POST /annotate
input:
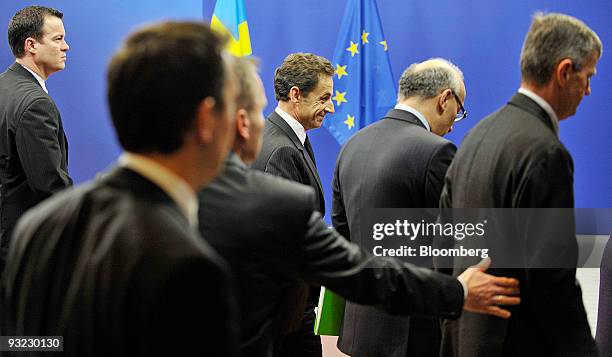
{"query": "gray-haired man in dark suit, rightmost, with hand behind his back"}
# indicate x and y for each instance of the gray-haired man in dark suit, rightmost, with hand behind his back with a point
(514, 159)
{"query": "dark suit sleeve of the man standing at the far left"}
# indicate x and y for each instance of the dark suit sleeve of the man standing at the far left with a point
(39, 150)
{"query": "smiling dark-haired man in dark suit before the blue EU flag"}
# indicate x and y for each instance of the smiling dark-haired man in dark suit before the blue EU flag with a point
(303, 87)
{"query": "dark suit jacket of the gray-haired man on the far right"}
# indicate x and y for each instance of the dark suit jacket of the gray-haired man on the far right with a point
(514, 159)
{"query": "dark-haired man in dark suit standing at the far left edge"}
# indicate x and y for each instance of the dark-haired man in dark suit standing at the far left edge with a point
(33, 147)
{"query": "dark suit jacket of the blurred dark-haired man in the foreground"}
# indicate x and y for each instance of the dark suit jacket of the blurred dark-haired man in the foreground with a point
(115, 269)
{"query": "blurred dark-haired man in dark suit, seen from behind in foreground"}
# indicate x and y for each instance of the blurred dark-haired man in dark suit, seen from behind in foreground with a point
(115, 266)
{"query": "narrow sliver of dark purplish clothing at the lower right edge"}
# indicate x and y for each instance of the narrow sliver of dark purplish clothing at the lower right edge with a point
(604, 315)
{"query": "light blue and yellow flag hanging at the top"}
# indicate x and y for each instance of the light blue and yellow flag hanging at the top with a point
(229, 18)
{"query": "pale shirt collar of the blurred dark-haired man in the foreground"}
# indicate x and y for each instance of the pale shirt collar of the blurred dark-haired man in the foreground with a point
(170, 183)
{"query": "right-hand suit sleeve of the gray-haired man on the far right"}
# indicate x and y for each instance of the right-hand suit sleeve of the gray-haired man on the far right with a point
(552, 248)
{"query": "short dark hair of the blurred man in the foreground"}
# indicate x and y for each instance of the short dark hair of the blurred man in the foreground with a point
(158, 78)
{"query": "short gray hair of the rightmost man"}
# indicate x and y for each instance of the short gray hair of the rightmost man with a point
(551, 38)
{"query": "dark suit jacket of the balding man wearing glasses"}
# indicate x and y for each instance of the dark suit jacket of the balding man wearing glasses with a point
(392, 163)
